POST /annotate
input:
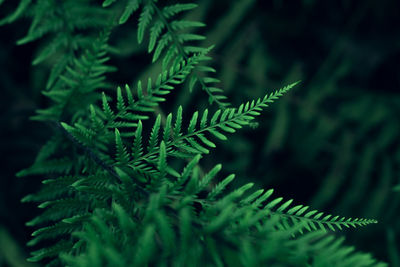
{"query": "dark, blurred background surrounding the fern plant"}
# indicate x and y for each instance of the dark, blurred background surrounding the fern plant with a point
(331, 143)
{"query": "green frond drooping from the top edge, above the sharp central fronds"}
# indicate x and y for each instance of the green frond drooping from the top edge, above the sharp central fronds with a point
(170, 39)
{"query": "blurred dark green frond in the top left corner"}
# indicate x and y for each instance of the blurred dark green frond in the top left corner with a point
(60, 24)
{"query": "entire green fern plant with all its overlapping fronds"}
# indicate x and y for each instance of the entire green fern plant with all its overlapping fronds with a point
(120, 192)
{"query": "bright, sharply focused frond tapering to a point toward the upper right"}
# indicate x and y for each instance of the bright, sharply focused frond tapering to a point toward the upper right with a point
(194, 140)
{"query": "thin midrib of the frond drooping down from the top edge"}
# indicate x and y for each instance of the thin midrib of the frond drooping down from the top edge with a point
(183, 54)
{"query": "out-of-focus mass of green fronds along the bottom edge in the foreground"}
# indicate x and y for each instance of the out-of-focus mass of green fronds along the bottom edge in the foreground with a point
(214, 225)
